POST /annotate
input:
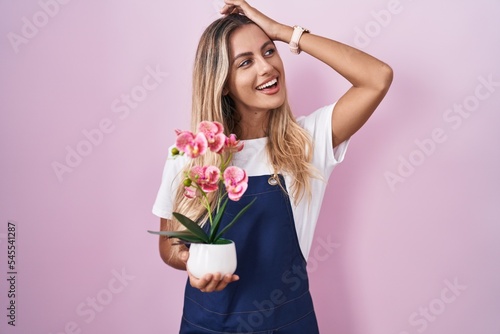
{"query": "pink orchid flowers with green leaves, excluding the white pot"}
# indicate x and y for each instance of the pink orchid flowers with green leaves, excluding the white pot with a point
(199, 181)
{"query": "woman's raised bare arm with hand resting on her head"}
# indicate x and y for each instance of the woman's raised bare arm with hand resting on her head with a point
(370, 77)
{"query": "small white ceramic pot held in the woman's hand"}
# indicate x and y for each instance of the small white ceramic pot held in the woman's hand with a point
(211, 259)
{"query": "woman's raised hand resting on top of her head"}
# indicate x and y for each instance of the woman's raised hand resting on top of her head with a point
(268, 25)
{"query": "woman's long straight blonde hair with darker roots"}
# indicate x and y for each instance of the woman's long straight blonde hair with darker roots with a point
(289, 147)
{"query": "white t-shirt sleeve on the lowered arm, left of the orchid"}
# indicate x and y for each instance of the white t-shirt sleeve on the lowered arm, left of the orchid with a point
(171, 178)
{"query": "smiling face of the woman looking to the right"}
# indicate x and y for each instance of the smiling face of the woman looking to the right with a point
(256, 79)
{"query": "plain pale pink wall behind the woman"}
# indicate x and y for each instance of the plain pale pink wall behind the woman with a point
(385, 253)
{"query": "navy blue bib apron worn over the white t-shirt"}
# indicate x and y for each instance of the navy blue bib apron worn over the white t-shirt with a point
(272, 295)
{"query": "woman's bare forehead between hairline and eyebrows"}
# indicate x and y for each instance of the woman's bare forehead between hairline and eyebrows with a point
(247, 38)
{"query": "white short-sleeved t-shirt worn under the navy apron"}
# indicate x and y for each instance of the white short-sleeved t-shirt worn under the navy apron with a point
(253, 158)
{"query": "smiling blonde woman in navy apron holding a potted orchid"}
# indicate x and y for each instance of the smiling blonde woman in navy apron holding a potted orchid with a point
(239, 81)
